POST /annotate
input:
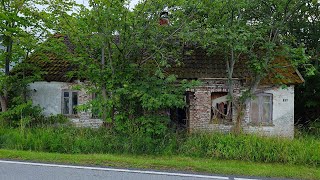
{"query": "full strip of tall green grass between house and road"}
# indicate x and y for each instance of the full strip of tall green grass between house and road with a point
(304, 150)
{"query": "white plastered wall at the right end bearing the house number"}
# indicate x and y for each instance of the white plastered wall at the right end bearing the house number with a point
(282, 114)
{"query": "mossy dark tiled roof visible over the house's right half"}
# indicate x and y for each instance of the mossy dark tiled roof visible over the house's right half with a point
(198, 65)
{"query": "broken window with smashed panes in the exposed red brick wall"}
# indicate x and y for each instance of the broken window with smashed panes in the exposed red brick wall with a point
(221, 109)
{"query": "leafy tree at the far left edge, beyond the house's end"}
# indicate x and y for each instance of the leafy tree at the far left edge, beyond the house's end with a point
(19, 32)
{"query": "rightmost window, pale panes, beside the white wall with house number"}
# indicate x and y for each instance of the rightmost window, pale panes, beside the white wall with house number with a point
(261, 109)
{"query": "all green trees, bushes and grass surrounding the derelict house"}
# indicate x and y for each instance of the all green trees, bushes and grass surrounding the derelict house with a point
(124, 56)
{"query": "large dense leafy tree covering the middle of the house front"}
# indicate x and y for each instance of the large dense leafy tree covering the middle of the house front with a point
(122, 54)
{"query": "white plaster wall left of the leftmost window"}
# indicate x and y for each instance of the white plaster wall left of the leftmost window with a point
(47, 95)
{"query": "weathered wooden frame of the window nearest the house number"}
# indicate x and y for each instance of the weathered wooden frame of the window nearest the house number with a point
(261, 102)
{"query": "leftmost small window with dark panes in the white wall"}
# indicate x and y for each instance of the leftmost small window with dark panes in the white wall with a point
(69, 102)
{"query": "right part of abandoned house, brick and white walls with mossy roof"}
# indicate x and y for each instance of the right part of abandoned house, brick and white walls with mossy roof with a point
(271, 112)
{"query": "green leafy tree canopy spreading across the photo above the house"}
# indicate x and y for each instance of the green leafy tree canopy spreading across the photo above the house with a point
(123, 54)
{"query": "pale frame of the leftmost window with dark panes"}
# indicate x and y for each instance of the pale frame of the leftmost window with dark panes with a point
(71, 104)
